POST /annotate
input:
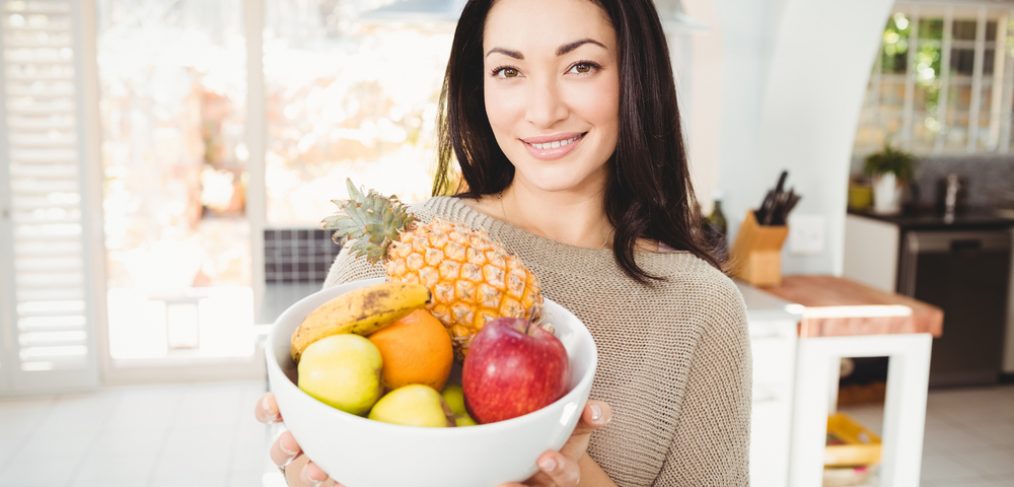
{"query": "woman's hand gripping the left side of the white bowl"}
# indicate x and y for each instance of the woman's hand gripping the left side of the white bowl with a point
(286, 454)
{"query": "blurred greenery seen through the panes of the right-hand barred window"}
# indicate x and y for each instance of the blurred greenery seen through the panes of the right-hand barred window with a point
(885, 108)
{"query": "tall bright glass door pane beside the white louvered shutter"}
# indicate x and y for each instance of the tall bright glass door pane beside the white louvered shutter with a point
(173, 83)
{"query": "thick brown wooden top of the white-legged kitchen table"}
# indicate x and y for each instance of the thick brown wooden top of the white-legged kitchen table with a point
(835, 307)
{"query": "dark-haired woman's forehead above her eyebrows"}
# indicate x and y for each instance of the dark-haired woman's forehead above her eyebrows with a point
(546, 24)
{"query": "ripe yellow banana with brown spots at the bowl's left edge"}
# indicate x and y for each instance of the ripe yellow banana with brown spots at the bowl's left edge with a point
(361, 312)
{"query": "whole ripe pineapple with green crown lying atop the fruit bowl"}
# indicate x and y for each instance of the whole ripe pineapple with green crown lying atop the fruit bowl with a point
(473, 280)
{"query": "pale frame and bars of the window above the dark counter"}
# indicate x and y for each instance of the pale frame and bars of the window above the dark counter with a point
(999, 112)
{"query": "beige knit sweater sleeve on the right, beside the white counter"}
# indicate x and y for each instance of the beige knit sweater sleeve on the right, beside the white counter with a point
(711, 446)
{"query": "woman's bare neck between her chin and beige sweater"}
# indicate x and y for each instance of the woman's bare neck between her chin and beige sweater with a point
(572, 219)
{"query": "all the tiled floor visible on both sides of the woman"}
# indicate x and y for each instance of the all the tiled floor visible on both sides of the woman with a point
(204, 435)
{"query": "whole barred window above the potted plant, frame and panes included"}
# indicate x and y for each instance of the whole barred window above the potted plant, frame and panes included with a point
(941, 83)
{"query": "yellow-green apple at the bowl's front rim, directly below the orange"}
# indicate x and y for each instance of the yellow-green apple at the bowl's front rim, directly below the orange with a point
(413, 405)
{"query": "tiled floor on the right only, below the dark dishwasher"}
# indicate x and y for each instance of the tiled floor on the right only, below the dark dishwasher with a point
(970, 437)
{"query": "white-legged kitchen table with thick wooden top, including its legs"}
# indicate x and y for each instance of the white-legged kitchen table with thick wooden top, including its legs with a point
(844, 319)
